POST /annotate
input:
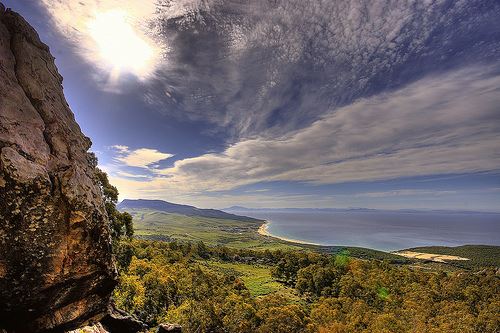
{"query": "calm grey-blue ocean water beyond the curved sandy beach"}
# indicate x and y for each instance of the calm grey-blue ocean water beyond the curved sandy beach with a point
(383, 230)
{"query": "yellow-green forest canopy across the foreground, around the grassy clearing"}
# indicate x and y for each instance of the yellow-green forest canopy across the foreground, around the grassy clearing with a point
(171, 282)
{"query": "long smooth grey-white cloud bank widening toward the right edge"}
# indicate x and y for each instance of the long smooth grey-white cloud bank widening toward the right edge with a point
(439, 125)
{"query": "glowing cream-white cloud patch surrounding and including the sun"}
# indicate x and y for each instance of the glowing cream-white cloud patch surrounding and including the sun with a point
(119, 35)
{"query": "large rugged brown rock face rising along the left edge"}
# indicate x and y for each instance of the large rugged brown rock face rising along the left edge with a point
(56, 268)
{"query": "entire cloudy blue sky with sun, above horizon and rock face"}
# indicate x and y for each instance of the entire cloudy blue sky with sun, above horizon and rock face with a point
(285, 103)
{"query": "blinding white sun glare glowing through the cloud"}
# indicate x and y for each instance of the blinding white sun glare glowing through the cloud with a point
(121, 48)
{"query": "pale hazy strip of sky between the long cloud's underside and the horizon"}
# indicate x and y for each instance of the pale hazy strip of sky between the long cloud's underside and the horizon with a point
(405, 198)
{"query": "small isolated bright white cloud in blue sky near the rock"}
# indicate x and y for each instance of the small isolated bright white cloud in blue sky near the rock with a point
(141, 158)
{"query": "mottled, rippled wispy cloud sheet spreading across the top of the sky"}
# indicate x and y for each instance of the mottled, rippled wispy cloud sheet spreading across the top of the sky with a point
(273, 66)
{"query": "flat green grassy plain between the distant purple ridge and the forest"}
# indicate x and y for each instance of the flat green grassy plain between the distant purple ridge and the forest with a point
(156, 225)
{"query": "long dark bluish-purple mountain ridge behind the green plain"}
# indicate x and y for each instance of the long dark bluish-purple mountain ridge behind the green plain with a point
(168, 207)
